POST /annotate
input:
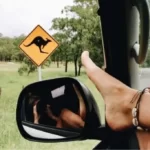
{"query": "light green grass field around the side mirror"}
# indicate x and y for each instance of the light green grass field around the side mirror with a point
(11, 84)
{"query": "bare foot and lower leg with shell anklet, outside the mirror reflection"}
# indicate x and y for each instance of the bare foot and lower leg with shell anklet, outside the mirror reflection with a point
(120, 101)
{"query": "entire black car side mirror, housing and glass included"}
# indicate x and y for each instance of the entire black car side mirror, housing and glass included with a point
(59, 109)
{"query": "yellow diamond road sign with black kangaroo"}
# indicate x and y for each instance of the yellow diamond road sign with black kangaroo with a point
(38, 45)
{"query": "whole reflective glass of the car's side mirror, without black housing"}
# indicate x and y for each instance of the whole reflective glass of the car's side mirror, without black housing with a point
(53, 110)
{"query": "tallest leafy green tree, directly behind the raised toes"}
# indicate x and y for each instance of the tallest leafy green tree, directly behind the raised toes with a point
(82, 30)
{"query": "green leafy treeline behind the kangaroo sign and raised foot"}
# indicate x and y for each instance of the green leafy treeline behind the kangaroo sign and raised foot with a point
(77, 31)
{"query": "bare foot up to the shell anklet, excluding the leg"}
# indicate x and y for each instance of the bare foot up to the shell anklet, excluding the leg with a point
(117, 96)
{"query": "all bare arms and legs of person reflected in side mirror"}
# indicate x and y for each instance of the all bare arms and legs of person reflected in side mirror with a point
(66, 118)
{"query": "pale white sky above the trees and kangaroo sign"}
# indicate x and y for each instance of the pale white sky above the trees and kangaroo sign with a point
(22, 16)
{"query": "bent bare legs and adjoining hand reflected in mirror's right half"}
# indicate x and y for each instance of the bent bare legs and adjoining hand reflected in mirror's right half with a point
(67, 118)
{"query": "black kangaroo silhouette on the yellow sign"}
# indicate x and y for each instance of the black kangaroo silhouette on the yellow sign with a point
(40, 43)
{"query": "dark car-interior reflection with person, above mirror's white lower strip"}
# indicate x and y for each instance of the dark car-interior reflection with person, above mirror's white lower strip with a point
(62, 107)
